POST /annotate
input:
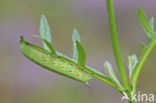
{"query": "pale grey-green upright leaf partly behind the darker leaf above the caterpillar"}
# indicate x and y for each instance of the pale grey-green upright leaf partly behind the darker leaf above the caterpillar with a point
(75, 37)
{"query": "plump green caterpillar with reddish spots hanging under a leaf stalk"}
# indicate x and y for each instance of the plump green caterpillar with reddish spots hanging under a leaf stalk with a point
(53, 62)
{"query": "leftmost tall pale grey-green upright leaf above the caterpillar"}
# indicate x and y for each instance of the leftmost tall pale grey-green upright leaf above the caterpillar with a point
(45, 31)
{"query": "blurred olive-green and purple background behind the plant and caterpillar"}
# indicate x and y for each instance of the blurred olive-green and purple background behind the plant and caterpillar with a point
(22, 81)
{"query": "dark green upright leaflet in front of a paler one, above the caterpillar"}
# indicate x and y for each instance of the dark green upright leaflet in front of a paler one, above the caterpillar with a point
(81, 54)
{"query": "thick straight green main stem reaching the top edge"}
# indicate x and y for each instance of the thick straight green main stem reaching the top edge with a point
(115, 44)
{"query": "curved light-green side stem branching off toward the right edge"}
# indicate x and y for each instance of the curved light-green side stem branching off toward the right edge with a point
(141, 62)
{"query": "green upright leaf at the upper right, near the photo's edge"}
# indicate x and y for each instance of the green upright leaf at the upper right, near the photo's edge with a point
(145, 24)
